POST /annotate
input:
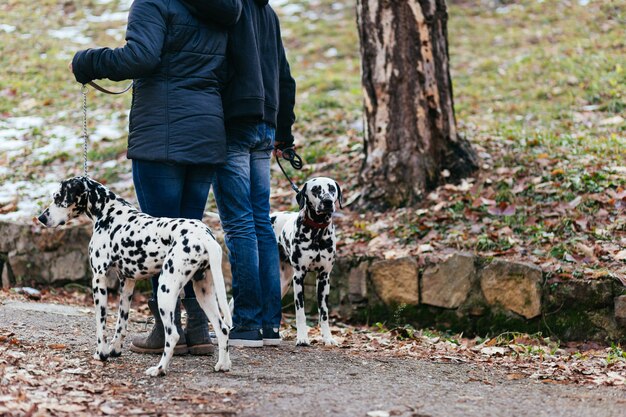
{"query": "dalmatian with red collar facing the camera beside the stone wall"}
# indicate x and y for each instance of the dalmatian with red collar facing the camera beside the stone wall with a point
(307, 242)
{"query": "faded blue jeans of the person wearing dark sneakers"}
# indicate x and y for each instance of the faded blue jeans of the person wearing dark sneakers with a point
(242, 193)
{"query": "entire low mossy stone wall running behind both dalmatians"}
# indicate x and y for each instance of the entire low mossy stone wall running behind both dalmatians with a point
(462, 293)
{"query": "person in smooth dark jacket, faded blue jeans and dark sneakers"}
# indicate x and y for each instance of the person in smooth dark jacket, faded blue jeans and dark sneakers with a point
(258, 99)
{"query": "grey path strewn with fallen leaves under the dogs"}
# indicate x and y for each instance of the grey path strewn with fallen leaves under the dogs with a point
(47, 362)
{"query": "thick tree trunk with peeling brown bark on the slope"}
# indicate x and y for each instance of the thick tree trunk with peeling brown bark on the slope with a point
(411, 135)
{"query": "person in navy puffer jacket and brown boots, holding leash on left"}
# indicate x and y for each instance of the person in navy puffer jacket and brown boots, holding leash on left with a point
(176, 128)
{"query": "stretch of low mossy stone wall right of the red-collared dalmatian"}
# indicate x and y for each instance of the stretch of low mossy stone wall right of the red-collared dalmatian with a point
(470, 294)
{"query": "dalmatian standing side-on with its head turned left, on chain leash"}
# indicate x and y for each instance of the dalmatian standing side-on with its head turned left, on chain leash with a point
(140, 246)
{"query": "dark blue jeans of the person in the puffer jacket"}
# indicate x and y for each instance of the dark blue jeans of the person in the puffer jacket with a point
(170, 190)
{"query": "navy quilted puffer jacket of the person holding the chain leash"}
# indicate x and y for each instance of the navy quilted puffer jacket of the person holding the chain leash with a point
(178, 66)
